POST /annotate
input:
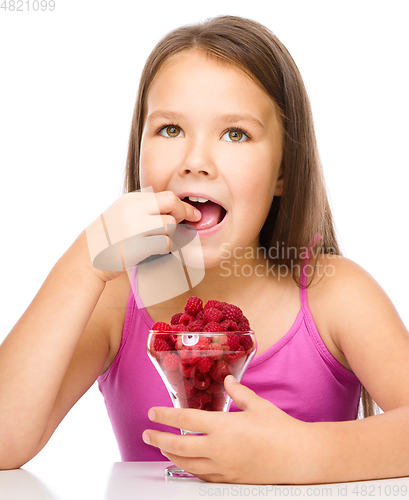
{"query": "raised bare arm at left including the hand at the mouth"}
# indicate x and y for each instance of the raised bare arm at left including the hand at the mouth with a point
(62, 342)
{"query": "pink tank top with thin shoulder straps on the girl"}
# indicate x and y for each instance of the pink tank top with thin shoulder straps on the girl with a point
(298, 374)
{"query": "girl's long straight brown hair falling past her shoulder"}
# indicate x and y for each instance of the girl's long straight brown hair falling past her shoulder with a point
(303, 210)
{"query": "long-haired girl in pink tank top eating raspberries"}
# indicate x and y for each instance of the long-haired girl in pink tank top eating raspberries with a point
(221, 114)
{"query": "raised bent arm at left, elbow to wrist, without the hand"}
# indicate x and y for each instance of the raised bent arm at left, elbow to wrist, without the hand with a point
(35, 356)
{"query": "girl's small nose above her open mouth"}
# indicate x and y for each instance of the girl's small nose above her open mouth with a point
(199, 160)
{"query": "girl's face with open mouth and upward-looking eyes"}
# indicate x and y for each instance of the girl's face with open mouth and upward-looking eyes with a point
(211, 132)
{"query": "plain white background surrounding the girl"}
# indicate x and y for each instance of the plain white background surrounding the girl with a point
(68, 85)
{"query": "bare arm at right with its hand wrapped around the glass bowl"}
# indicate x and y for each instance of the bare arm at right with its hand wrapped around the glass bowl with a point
(366, 327)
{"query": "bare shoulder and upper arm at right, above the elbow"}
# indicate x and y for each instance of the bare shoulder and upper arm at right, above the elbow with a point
(366, 327)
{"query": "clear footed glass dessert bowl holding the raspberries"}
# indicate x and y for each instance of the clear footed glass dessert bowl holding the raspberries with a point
(193, 366)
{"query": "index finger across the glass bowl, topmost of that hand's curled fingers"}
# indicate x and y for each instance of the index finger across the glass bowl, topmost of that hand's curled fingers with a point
(186, 418)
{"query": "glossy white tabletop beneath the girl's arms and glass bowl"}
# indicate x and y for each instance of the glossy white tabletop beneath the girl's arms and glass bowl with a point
(146, 480)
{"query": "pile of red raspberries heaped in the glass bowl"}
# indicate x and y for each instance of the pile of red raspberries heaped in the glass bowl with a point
(196, 372)
